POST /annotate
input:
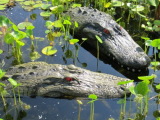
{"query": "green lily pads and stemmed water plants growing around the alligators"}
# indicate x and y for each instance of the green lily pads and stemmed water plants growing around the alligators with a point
(59, 28)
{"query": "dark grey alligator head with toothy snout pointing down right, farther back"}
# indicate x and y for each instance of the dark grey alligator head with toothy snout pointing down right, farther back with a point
(117, 43)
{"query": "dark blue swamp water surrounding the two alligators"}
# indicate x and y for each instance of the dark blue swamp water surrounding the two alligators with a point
(68, 109)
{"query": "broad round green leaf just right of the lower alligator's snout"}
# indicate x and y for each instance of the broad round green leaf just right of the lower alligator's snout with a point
(142, 88)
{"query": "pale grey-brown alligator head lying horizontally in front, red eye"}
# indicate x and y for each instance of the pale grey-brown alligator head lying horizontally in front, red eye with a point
(55, 80)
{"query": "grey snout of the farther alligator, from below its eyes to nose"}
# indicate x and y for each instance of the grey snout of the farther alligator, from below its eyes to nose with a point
(126, 52)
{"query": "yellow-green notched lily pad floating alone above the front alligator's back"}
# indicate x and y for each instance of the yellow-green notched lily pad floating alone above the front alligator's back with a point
(49, 50)
